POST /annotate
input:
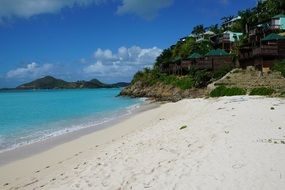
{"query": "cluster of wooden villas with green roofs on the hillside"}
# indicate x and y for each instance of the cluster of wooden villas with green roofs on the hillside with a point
(266, 44)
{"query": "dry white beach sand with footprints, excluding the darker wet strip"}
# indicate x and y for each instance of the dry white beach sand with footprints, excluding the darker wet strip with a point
(229, 143)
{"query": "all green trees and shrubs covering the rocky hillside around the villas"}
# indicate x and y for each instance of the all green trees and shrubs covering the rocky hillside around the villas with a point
(183, 48)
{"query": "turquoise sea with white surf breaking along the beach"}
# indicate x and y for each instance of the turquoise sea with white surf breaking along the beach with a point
(30, 116)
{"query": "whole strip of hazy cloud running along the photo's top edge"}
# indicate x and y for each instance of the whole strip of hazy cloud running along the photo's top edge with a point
(27, 8)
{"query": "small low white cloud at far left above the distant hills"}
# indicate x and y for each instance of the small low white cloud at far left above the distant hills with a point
(31, 70)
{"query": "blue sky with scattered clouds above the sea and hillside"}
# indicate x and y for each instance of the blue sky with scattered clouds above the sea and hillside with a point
(105, 39)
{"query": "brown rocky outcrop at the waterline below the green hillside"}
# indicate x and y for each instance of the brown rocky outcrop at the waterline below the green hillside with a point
(160, 92)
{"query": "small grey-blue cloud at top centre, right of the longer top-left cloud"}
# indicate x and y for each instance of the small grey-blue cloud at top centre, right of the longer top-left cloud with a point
(147, 9)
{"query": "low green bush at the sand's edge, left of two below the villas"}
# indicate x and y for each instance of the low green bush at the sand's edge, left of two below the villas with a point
(224, 91)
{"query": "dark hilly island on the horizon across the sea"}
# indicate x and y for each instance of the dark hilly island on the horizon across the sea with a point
(49, 82)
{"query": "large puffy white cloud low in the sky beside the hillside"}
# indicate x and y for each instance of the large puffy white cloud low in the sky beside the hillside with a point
(125, 62)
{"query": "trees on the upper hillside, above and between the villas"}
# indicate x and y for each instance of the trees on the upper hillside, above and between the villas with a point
(249, 17)
